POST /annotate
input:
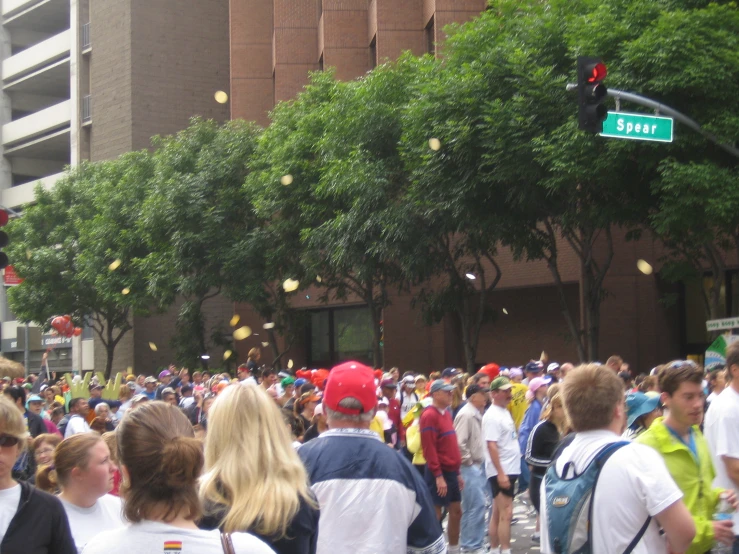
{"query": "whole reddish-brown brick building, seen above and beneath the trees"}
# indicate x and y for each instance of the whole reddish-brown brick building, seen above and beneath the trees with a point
(274, 45)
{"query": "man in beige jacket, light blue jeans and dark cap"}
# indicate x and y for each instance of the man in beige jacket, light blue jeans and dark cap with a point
(468, 426)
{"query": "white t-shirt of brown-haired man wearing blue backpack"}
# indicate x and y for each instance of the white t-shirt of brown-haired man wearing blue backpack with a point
(634, 484)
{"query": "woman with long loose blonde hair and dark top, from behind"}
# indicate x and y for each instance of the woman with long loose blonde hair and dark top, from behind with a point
(254, 480)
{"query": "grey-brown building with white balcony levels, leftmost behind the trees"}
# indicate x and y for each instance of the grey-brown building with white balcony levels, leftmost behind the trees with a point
(90, 80)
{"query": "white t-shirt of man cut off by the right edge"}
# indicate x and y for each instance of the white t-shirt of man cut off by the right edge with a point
(721, 430)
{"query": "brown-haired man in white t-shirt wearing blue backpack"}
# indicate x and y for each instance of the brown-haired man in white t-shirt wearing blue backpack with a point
(634, 483)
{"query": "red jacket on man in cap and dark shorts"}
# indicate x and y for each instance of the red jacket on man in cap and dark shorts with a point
(439, 441)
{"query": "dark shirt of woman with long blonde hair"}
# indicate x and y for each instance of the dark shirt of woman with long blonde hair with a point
(301, 537)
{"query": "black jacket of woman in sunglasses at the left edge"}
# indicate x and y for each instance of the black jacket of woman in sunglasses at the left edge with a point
(39, 526)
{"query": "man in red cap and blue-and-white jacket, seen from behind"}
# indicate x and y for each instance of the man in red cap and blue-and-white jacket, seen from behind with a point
(371, 499)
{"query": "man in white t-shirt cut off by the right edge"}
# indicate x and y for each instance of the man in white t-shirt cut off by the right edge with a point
(722, 432)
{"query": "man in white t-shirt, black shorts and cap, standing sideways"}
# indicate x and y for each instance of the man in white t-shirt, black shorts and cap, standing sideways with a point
(502, 463)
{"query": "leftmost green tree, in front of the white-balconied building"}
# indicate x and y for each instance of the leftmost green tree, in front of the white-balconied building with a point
(65, 243)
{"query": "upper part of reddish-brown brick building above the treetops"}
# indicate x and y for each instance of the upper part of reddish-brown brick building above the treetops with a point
(276, 43)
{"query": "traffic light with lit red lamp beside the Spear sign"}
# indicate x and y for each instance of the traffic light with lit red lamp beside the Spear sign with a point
(591, 94)
